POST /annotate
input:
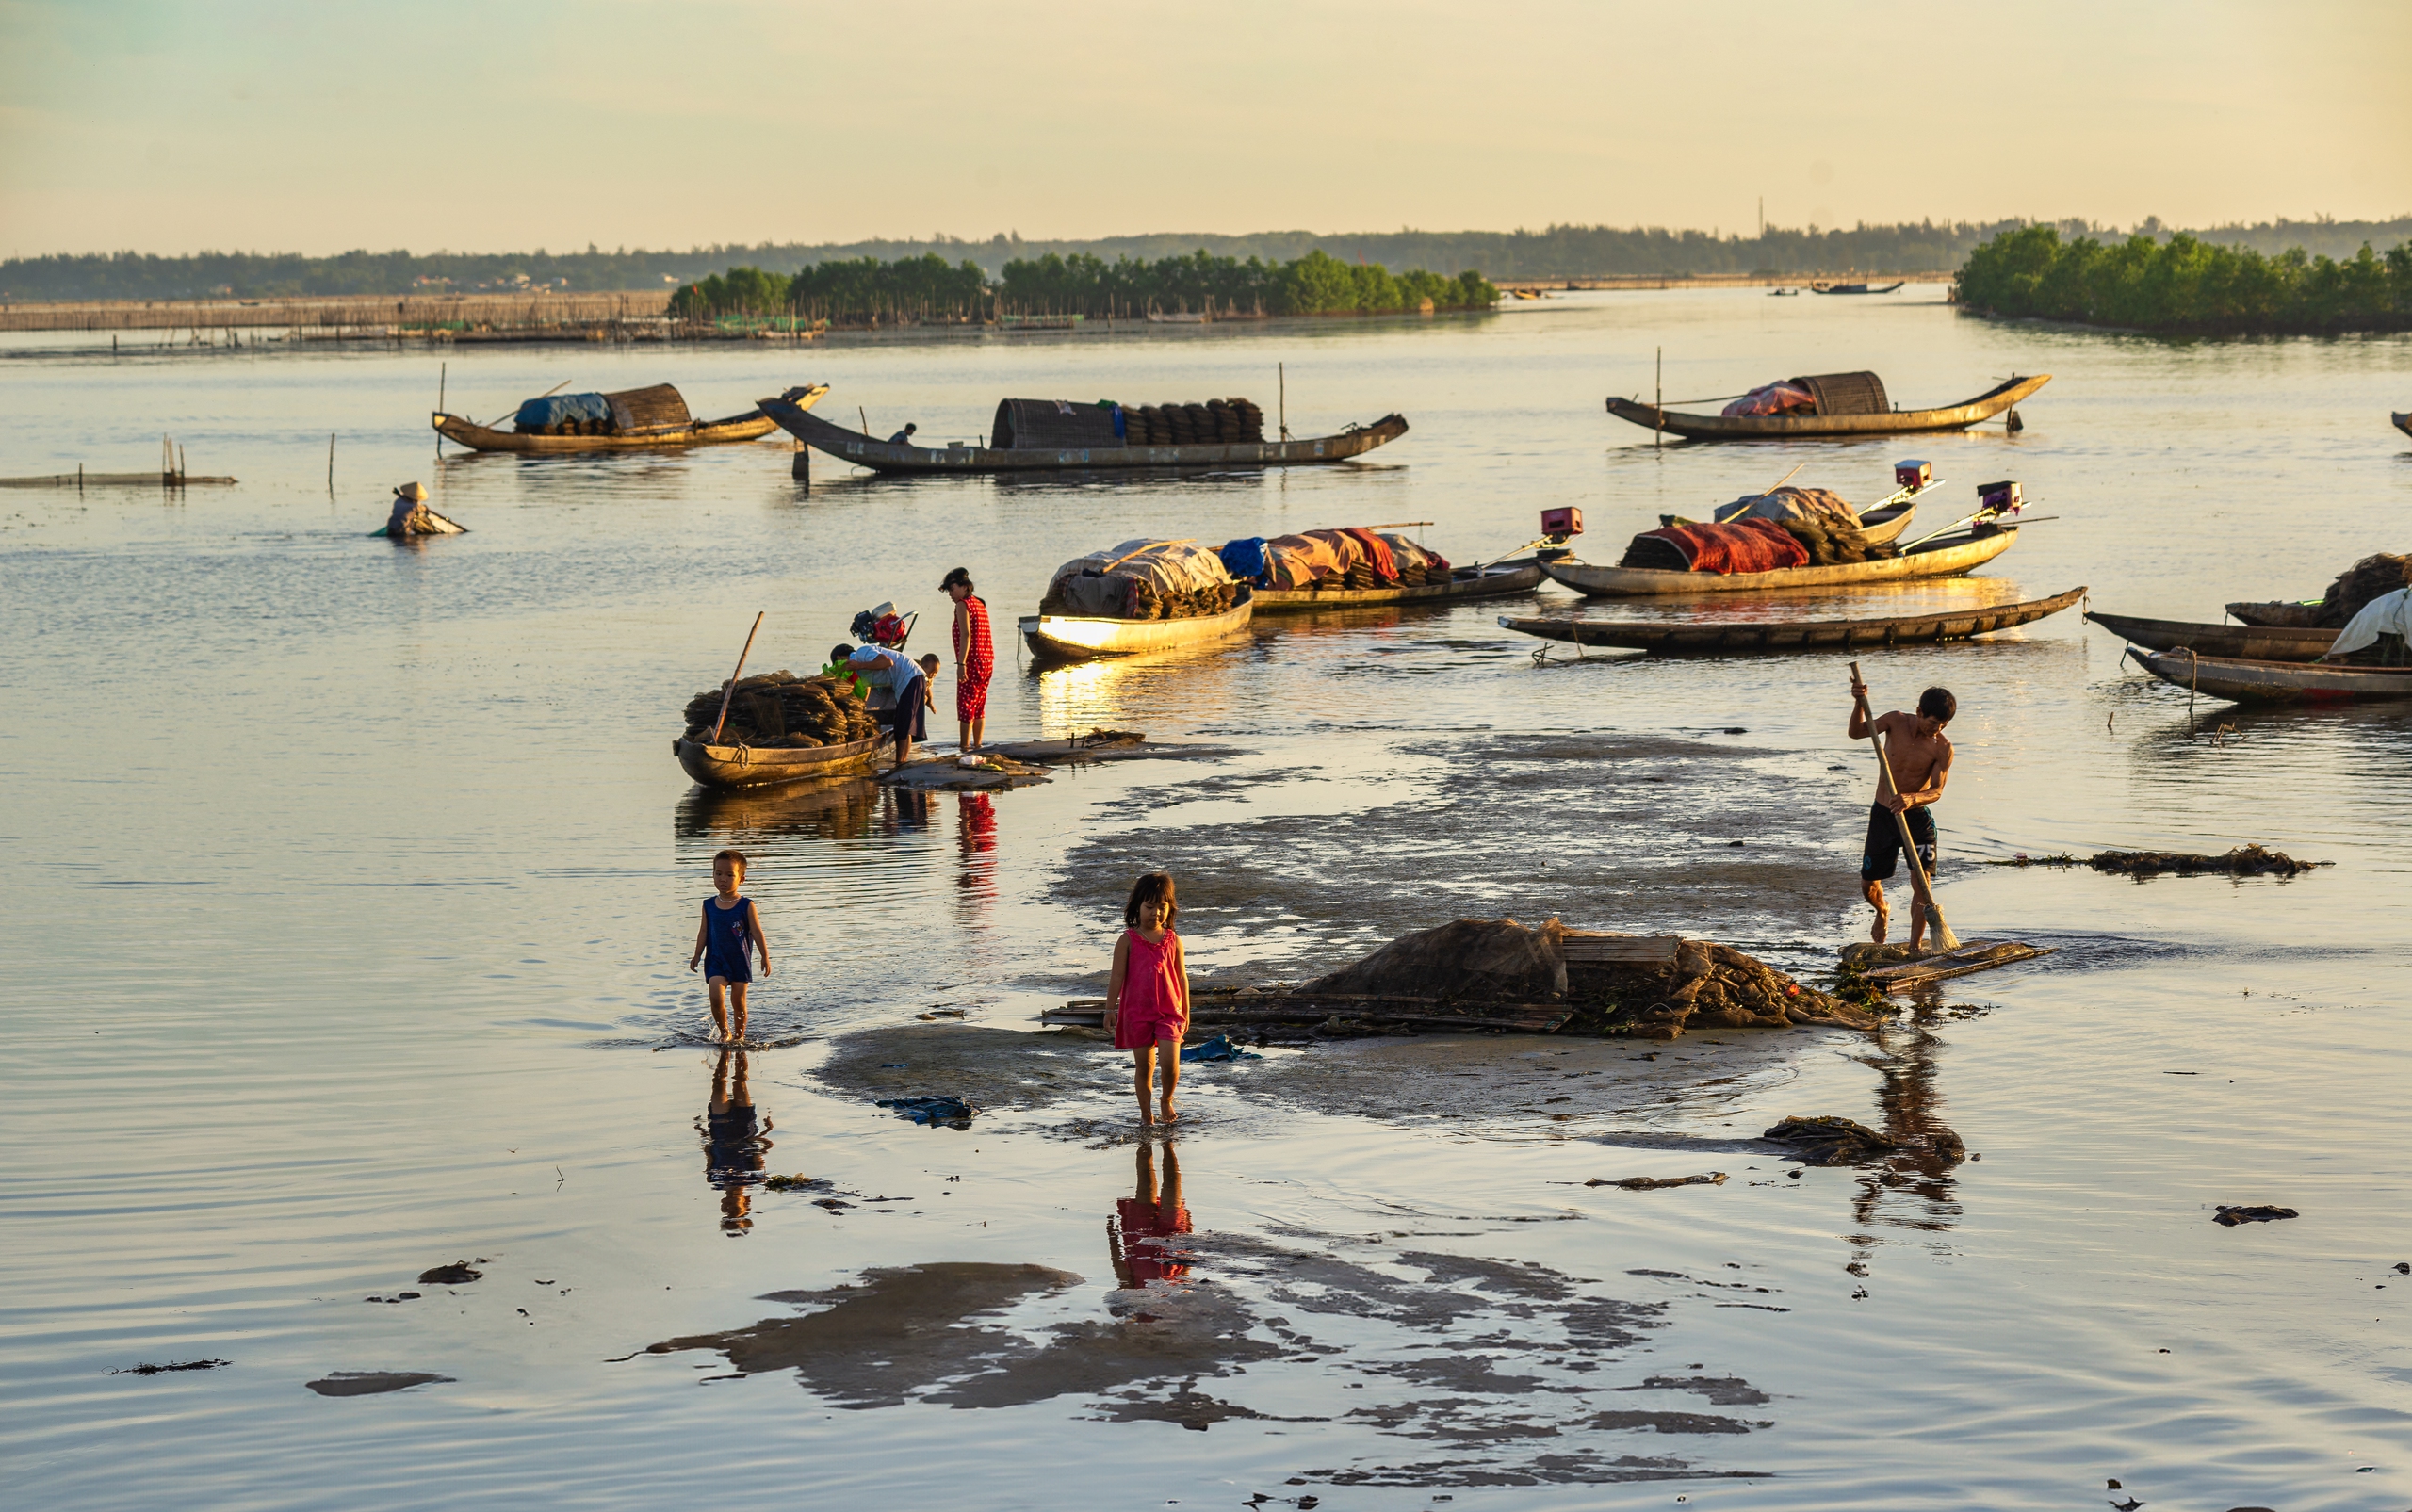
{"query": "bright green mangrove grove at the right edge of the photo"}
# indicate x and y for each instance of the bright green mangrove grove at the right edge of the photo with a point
(2186, 286)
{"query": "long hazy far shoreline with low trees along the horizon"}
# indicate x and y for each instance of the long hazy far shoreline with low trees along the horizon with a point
(1555, 252)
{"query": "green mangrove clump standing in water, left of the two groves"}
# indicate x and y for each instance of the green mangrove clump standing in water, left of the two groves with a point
(867, 291)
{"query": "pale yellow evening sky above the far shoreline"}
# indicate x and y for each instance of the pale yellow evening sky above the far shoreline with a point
(517, 124)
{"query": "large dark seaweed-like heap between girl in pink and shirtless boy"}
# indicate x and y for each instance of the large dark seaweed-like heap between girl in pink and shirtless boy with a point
(1485, 968)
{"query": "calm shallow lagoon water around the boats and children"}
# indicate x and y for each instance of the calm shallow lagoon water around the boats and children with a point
(351, 884)
